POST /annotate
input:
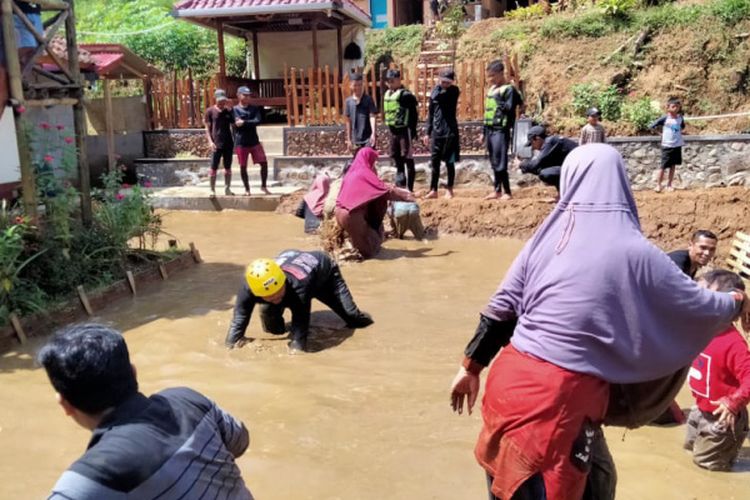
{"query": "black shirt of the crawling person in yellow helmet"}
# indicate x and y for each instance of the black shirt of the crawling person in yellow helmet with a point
(306, 274)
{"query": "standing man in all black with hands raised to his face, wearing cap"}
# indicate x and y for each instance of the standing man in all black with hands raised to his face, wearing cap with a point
(442, 129)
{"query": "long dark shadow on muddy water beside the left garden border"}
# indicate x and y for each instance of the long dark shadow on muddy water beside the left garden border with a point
(180, 297)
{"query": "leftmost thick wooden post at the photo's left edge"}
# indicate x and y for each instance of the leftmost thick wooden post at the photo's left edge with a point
(28, 181)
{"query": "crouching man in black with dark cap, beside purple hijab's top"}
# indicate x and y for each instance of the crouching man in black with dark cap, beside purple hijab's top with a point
(552, 152)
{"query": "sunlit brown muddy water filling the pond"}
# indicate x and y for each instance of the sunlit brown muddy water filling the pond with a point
(364, 417)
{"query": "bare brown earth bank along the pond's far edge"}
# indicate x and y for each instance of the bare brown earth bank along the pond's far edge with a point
(668, 219)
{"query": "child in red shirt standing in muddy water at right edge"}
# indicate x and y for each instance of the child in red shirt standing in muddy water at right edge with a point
(720, 381)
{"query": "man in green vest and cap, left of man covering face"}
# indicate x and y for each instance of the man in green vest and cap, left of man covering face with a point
(400, 108)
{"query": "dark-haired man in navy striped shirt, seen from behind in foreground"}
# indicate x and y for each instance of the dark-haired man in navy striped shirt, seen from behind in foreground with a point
(171, 444)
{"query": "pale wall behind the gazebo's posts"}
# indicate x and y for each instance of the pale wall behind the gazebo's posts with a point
(295, 49)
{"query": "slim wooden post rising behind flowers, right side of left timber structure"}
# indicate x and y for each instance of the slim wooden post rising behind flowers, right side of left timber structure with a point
(79, 116)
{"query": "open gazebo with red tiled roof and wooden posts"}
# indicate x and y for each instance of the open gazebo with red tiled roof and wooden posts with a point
(248, 19)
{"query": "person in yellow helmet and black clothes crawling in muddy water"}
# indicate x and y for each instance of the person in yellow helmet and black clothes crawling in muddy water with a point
(292, 281)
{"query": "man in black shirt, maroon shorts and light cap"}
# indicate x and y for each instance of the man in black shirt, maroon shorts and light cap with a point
(246, 120)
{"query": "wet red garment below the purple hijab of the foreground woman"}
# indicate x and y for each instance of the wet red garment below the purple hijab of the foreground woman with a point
(537, 417)
